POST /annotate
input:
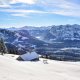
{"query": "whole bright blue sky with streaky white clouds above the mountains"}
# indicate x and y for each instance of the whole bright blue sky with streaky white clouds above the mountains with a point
(19, 13)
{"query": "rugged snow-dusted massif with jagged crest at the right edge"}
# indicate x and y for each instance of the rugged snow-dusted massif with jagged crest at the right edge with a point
(66, 32)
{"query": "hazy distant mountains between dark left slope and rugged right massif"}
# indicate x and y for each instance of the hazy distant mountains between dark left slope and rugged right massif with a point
(37, 32)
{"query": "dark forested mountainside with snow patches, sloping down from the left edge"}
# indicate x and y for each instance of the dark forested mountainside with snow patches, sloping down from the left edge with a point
(20, 39)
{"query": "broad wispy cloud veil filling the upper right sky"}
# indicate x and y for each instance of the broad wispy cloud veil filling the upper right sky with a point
(62, 7)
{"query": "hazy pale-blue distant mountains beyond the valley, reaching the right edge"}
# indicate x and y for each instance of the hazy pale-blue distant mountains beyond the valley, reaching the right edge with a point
(51, 33)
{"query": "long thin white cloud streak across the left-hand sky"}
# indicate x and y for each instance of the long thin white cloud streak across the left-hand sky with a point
(22, 12)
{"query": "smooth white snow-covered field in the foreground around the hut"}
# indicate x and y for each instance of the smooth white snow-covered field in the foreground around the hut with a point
(11, 69)
